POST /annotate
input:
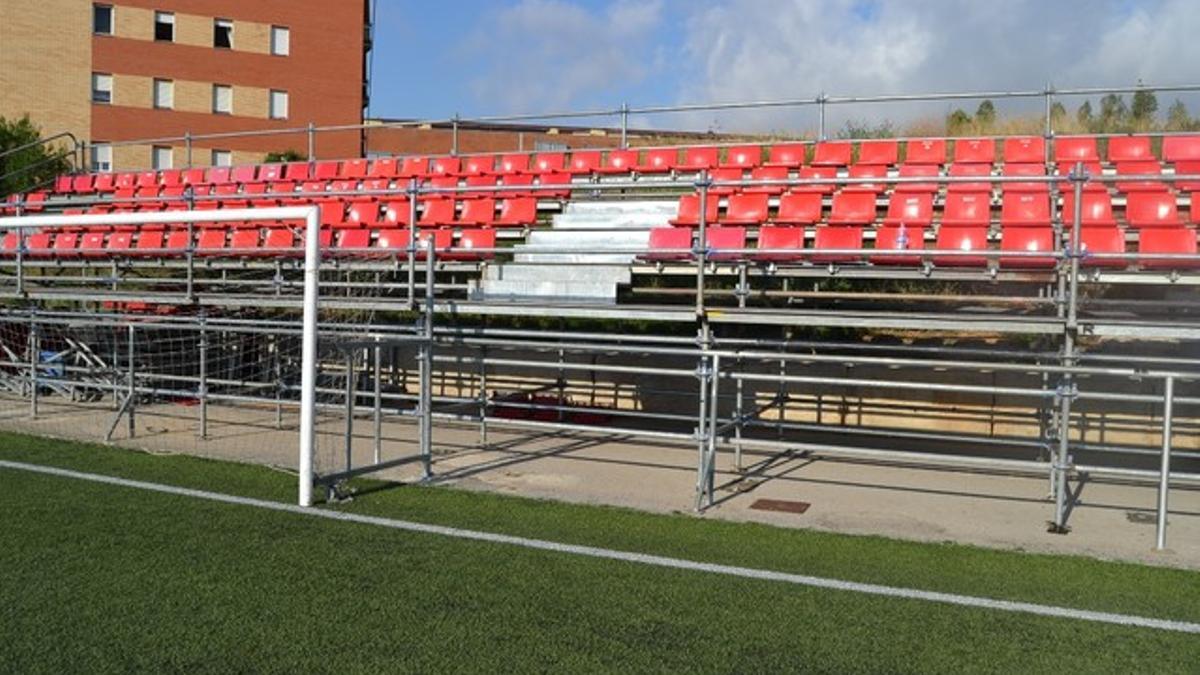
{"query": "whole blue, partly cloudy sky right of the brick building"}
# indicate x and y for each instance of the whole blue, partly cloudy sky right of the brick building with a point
(434, 61)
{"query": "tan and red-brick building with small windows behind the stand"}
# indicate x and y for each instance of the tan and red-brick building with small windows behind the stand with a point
(121, 71)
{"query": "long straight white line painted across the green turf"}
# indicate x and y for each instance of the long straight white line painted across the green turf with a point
(641, 559)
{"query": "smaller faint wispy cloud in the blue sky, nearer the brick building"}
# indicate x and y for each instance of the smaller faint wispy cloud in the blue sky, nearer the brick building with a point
(553, 55)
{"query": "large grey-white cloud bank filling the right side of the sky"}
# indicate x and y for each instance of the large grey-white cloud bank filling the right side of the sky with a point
(755, 50)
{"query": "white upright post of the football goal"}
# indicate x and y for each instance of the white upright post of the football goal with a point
(309, 354)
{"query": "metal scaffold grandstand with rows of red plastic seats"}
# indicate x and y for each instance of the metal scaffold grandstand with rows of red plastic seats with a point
(1016, 304)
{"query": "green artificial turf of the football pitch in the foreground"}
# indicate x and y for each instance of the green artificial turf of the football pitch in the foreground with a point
(98, 578)
